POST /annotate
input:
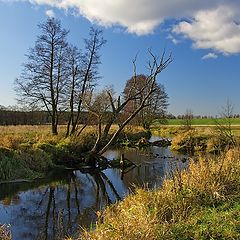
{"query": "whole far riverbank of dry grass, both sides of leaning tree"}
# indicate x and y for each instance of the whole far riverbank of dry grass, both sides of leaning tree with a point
(30, 152)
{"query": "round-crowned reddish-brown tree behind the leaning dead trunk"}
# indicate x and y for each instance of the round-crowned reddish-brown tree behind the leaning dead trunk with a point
(156, 104)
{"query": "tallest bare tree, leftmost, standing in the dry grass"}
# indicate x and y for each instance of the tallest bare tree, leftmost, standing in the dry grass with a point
(44, 74)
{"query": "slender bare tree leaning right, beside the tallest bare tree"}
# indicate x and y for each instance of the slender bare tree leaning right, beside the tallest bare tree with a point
(87, 74)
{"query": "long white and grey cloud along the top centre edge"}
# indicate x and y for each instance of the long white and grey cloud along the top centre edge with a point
(137, 16)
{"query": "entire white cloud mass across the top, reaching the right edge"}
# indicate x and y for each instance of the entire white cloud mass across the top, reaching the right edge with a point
(210, 24)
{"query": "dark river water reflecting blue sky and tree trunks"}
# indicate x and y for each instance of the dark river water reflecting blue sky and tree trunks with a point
(62, 204)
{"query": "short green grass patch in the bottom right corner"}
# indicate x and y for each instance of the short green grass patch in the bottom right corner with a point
(222, 222)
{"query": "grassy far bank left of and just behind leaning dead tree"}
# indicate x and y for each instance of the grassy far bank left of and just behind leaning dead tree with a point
(31, 151)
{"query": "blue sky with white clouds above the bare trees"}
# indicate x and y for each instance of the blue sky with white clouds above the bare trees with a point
(203, 38)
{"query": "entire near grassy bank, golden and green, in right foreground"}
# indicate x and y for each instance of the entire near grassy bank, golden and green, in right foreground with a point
(202, 202)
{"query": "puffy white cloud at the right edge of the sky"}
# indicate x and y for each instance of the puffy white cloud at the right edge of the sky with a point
(216, 29)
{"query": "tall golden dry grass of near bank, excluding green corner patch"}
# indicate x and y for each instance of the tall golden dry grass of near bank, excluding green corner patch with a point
(154, 214)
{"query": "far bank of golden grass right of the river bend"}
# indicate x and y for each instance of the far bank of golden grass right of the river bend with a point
(196, 139)
